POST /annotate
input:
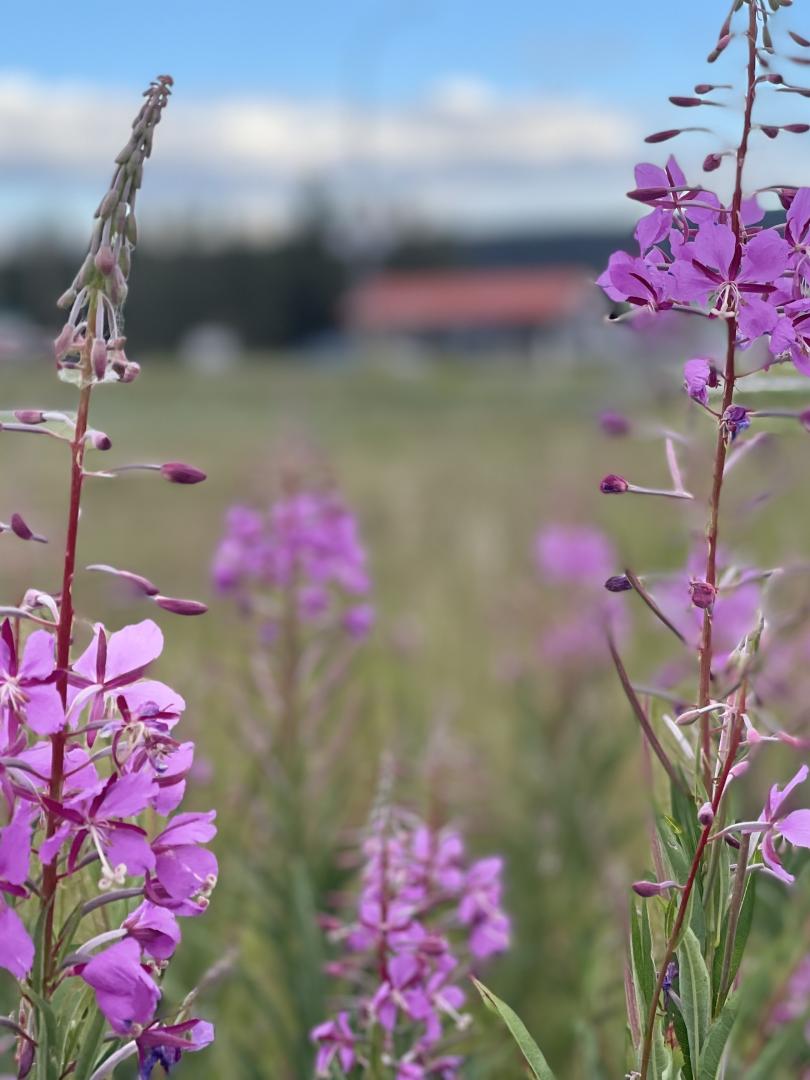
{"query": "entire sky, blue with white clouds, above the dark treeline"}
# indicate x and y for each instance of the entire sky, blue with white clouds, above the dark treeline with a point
(438, 114)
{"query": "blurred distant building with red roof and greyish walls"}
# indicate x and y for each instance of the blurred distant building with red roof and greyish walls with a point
(520, 312)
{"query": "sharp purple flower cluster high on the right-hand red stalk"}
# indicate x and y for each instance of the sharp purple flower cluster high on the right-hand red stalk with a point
(698, 255)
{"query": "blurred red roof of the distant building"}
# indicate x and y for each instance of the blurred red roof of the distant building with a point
(466, 300)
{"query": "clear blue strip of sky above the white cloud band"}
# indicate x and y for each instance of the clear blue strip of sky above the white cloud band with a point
(387, 50)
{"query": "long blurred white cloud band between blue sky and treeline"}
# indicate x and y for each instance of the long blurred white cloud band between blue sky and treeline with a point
(463, 154)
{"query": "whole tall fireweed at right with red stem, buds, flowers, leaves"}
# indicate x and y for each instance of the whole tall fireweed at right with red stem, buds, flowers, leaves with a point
(706, 718)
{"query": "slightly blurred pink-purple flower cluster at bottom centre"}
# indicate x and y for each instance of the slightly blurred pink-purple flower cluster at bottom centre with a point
(424, 919)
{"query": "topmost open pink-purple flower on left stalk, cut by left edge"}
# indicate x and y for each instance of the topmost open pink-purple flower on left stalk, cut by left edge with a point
(28, 686)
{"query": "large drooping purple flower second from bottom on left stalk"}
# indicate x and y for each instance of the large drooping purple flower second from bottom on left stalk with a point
(126, 994)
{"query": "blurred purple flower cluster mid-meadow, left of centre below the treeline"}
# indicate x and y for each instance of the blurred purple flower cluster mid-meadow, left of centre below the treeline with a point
(307, 545)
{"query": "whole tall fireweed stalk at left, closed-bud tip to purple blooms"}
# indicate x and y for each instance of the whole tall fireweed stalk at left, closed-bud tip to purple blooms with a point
(89, 762)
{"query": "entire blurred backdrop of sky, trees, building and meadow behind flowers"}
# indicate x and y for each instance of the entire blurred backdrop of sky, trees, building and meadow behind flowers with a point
(370, 235)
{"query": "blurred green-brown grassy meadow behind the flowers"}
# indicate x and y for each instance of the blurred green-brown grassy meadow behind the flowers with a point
(452, 472)
